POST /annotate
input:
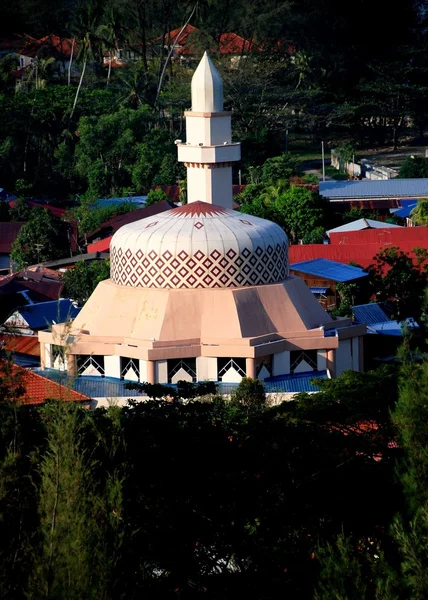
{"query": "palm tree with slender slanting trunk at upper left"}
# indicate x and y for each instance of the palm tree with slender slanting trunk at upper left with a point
(89, 41)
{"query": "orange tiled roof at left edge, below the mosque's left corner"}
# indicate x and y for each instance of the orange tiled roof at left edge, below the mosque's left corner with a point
(38, 389)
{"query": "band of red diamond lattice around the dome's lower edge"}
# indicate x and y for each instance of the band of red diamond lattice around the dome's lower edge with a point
(199, 270)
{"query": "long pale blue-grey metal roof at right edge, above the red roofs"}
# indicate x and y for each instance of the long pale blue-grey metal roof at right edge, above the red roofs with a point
(389, 188)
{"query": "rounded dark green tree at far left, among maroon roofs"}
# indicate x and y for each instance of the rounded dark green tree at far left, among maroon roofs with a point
(42, 238)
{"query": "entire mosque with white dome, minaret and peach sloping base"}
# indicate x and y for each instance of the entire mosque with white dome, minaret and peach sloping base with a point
(202, 292)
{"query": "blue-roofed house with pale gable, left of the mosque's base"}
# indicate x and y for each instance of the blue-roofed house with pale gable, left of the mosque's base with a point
(36, 317)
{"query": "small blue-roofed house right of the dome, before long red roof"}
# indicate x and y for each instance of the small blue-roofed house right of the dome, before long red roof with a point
(322, 277)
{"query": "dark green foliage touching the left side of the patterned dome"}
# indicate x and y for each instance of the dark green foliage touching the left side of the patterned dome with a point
(81, 281)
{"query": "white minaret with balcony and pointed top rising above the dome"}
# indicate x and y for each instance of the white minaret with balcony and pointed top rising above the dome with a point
(208, 152)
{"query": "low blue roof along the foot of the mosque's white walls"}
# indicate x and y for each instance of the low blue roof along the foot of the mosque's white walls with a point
(110, 387)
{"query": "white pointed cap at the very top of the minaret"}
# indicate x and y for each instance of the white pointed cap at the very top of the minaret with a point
(207, 87)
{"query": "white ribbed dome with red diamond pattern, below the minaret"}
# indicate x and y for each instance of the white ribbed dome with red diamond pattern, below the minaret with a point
(199, 245)
